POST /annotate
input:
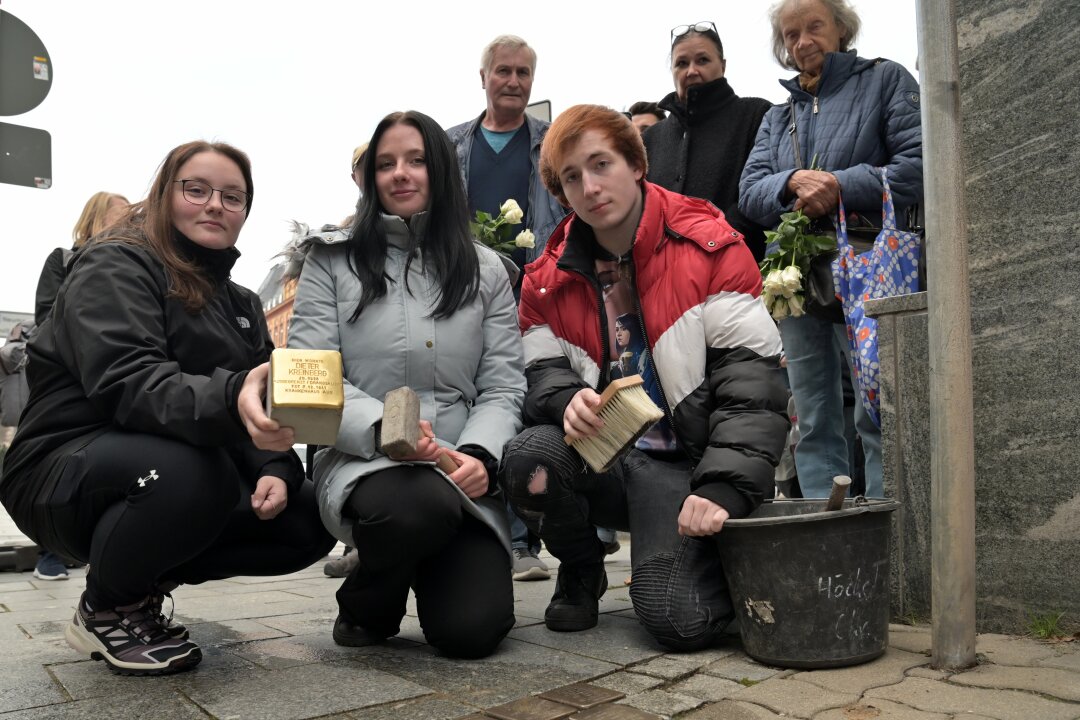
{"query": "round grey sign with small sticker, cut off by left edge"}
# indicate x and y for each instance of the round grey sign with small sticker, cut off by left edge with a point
(26, 70)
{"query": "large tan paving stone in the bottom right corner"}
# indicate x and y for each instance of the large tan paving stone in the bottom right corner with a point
(949, 699)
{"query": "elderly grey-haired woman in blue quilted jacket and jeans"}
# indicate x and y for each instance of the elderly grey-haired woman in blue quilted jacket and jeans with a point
(853, 116)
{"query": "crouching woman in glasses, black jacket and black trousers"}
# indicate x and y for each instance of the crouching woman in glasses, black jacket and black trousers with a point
(132, 454)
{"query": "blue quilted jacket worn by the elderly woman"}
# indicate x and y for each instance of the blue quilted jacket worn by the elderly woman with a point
(866, 116)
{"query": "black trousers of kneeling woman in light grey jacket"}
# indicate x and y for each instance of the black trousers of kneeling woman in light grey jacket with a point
(411, 532)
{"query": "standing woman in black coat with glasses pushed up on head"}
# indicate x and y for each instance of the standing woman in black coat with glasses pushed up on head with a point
(701, 147)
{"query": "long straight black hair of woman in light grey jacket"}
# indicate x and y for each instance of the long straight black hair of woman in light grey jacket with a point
(449, 249)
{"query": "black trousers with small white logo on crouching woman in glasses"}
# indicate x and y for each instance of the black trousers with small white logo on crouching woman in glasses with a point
(145, 510)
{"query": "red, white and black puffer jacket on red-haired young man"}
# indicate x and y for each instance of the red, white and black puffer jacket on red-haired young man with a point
(713, 344)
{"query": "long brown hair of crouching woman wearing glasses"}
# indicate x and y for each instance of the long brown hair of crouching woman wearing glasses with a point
(151, 224)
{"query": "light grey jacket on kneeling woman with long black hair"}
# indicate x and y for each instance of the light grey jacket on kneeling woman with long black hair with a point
(467, 370)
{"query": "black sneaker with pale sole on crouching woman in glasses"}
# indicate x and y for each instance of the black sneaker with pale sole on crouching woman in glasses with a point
(131, 641)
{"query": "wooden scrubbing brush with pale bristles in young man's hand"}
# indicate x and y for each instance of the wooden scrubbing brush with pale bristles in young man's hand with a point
(628, 413)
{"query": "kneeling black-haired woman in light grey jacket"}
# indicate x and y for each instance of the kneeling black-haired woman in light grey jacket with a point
(411, 300)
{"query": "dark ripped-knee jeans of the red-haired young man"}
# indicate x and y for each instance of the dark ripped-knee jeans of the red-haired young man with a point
(679, 589)
